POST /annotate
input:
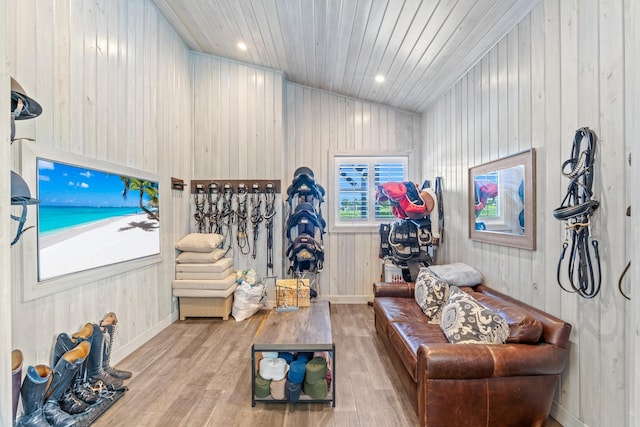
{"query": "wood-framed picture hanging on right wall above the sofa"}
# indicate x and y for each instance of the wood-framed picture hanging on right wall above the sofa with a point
(502, 201)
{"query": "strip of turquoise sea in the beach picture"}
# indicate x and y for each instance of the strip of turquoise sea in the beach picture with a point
(57, 218)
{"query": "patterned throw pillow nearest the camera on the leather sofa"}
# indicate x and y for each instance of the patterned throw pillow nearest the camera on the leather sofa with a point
(465, 321)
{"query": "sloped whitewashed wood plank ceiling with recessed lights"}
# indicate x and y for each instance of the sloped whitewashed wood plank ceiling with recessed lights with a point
(421, 47)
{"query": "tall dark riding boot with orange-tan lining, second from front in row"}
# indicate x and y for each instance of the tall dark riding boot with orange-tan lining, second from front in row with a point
(63, 374)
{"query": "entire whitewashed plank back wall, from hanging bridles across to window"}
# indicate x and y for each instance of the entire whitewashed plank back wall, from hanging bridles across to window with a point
(250, 123)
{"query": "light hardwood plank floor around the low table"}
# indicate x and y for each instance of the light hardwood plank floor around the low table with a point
(197, 373)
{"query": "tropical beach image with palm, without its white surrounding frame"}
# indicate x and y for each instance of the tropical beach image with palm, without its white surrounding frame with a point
(89, 218)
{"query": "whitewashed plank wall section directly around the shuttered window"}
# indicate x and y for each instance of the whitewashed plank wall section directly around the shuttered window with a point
(318, 124)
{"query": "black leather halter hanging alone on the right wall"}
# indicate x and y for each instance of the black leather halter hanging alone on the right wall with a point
(583, 267)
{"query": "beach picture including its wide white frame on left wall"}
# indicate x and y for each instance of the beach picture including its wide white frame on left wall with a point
(95, 219)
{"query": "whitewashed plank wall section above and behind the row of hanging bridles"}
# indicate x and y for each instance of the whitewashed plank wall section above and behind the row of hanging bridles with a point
(238, 134)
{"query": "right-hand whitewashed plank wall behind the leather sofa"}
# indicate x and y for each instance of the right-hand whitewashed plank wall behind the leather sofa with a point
(560, 68)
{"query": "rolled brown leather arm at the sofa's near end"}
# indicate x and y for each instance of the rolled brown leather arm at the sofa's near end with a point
(463, 361)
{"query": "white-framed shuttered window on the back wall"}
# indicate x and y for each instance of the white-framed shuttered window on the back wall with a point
(357, 178)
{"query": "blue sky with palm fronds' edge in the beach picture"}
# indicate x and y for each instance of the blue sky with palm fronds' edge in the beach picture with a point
(60, 184)
